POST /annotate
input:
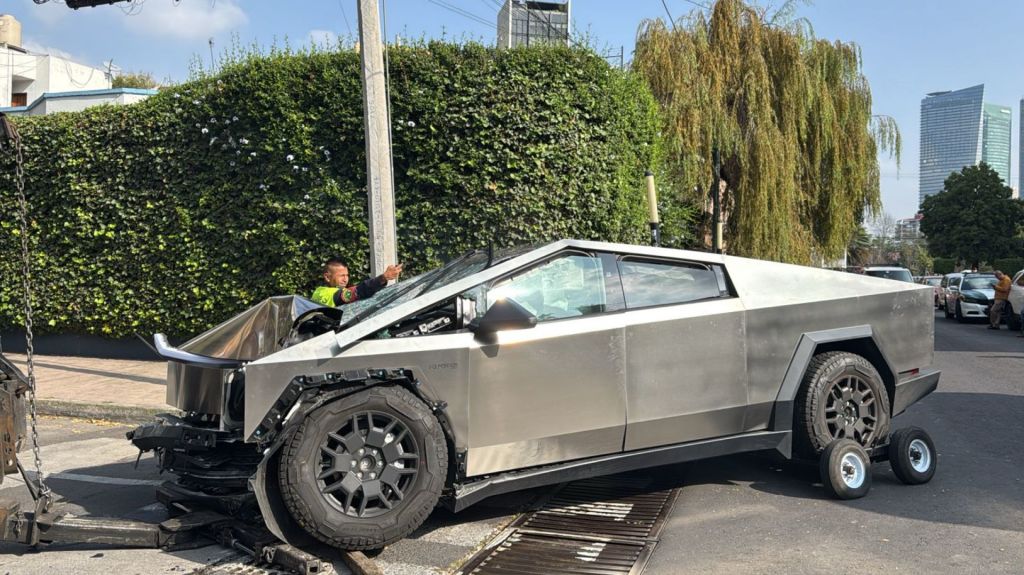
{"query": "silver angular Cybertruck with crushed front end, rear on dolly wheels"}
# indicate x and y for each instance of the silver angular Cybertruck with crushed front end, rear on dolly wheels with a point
(514, 370)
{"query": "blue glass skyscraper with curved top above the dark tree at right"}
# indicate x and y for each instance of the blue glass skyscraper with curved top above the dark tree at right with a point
(959, 129)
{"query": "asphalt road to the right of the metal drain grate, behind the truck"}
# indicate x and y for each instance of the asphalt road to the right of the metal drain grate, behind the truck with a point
(756, 515)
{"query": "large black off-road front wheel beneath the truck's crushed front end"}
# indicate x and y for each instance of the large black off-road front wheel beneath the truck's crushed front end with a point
(306, 460)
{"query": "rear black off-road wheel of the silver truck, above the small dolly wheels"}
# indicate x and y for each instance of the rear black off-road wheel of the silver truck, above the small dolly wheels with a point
(816, 428)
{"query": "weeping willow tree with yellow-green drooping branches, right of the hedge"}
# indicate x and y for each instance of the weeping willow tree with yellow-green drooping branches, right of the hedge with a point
(791, 115)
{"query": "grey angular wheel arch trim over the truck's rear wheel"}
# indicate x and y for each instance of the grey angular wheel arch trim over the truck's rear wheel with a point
(859, 340)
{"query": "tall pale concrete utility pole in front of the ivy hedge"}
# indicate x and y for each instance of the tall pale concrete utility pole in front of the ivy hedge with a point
(380, 182)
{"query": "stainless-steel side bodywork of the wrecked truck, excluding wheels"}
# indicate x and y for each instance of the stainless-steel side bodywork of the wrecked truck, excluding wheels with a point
(609, 380)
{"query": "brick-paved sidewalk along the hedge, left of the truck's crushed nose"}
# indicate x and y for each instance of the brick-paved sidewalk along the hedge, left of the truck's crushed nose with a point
(105, 389)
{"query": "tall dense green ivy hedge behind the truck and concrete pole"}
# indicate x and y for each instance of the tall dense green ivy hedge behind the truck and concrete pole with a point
(174, 214)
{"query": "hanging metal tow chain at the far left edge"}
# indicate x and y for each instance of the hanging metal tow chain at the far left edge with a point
(44, 496)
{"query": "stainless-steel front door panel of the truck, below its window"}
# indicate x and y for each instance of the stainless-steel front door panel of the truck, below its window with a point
(546, 395)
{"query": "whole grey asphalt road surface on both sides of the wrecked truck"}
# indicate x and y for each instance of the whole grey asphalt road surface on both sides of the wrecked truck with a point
(750, 514)
